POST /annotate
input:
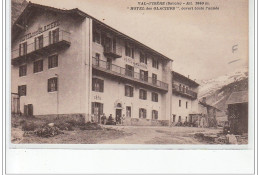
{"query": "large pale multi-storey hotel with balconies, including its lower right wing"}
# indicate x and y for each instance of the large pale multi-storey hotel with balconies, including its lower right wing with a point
(68, 63)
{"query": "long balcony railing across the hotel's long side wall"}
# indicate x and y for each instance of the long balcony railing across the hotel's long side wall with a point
(128, 74)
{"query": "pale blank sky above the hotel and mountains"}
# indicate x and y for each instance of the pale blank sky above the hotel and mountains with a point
(199, 42)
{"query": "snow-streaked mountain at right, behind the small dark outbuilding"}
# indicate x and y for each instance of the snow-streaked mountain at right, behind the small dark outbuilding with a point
(218, 90)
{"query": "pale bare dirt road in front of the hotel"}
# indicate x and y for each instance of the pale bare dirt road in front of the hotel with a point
(158, 135)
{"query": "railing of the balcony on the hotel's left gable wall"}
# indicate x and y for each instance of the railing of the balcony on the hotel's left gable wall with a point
(45, 44)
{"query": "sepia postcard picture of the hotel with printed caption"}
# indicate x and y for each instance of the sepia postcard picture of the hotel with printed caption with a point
(130, 72)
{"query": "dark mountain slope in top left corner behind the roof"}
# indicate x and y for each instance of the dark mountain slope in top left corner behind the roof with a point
(17, 6)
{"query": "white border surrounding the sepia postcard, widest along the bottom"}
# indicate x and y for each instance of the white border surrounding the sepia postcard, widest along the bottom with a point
(129, 161)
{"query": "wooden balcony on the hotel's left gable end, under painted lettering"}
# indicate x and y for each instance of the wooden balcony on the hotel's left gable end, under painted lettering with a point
(45, 47)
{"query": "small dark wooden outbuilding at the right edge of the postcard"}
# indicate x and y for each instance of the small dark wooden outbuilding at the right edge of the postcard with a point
(237, 106)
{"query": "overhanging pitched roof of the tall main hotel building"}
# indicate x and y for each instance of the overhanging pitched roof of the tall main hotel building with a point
(77, 12)
